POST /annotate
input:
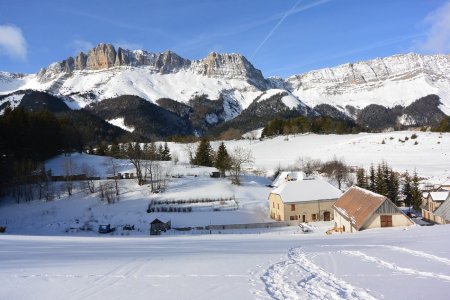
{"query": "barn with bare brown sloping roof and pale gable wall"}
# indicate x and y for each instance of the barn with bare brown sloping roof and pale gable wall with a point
(359, 209)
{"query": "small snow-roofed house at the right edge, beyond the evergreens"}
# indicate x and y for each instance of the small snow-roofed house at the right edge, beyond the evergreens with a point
(432, 211)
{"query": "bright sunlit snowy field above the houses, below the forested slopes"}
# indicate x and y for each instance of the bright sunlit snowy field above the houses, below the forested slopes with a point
(431, 155)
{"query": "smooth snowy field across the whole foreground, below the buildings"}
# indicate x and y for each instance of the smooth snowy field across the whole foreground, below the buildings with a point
(283, 264)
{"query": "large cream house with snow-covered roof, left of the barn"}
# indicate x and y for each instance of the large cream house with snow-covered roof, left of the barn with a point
(303, 200)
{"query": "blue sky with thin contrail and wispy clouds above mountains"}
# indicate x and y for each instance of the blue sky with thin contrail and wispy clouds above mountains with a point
(280, 37)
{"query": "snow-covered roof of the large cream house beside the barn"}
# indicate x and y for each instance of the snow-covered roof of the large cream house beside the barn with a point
(306, 190)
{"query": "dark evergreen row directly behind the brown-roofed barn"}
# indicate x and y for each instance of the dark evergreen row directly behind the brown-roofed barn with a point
(397, 187)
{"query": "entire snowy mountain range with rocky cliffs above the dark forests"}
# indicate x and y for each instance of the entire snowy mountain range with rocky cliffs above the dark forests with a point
(105, 72)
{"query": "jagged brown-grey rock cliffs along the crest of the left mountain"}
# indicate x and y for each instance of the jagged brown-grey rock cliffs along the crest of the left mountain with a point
(104, 56)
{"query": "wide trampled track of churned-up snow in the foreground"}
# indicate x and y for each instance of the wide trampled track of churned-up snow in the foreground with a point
(313, 282)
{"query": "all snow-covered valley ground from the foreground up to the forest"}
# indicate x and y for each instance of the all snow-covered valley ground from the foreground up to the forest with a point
(48, 251)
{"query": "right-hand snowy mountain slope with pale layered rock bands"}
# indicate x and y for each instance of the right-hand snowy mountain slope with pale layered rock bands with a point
(390, 81)
